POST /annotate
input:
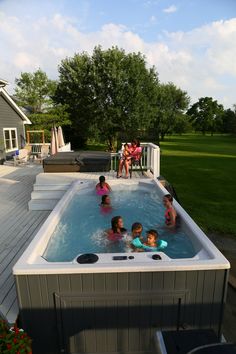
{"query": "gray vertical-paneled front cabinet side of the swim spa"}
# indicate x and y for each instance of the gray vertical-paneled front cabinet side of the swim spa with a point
(117, 312)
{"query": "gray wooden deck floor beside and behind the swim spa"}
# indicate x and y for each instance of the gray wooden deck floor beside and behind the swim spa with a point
(18, 225)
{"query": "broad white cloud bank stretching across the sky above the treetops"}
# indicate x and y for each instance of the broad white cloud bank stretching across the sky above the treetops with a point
(199, 61)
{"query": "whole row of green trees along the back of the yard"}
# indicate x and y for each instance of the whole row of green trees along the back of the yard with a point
(112, 96)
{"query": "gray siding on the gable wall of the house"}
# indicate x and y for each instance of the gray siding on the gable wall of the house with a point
(9, 118)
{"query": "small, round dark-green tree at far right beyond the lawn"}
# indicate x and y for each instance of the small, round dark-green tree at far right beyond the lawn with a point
(206, 115)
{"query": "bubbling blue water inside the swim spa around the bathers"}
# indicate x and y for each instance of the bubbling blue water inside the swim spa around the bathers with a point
(82, 225)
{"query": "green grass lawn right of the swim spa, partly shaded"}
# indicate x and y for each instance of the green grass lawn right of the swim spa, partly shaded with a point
(202, 170)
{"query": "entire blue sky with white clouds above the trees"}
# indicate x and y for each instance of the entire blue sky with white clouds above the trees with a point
(191, 43)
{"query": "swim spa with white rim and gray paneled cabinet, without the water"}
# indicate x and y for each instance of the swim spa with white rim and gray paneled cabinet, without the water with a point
(117, 303)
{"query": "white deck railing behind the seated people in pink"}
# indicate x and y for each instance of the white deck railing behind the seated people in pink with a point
(150, 159)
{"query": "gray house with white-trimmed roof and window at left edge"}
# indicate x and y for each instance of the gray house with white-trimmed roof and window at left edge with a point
(12, 123)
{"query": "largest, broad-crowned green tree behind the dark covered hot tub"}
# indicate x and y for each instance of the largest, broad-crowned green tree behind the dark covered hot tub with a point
(110, 92)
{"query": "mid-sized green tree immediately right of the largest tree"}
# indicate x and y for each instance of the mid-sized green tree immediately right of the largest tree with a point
(171, 102)
